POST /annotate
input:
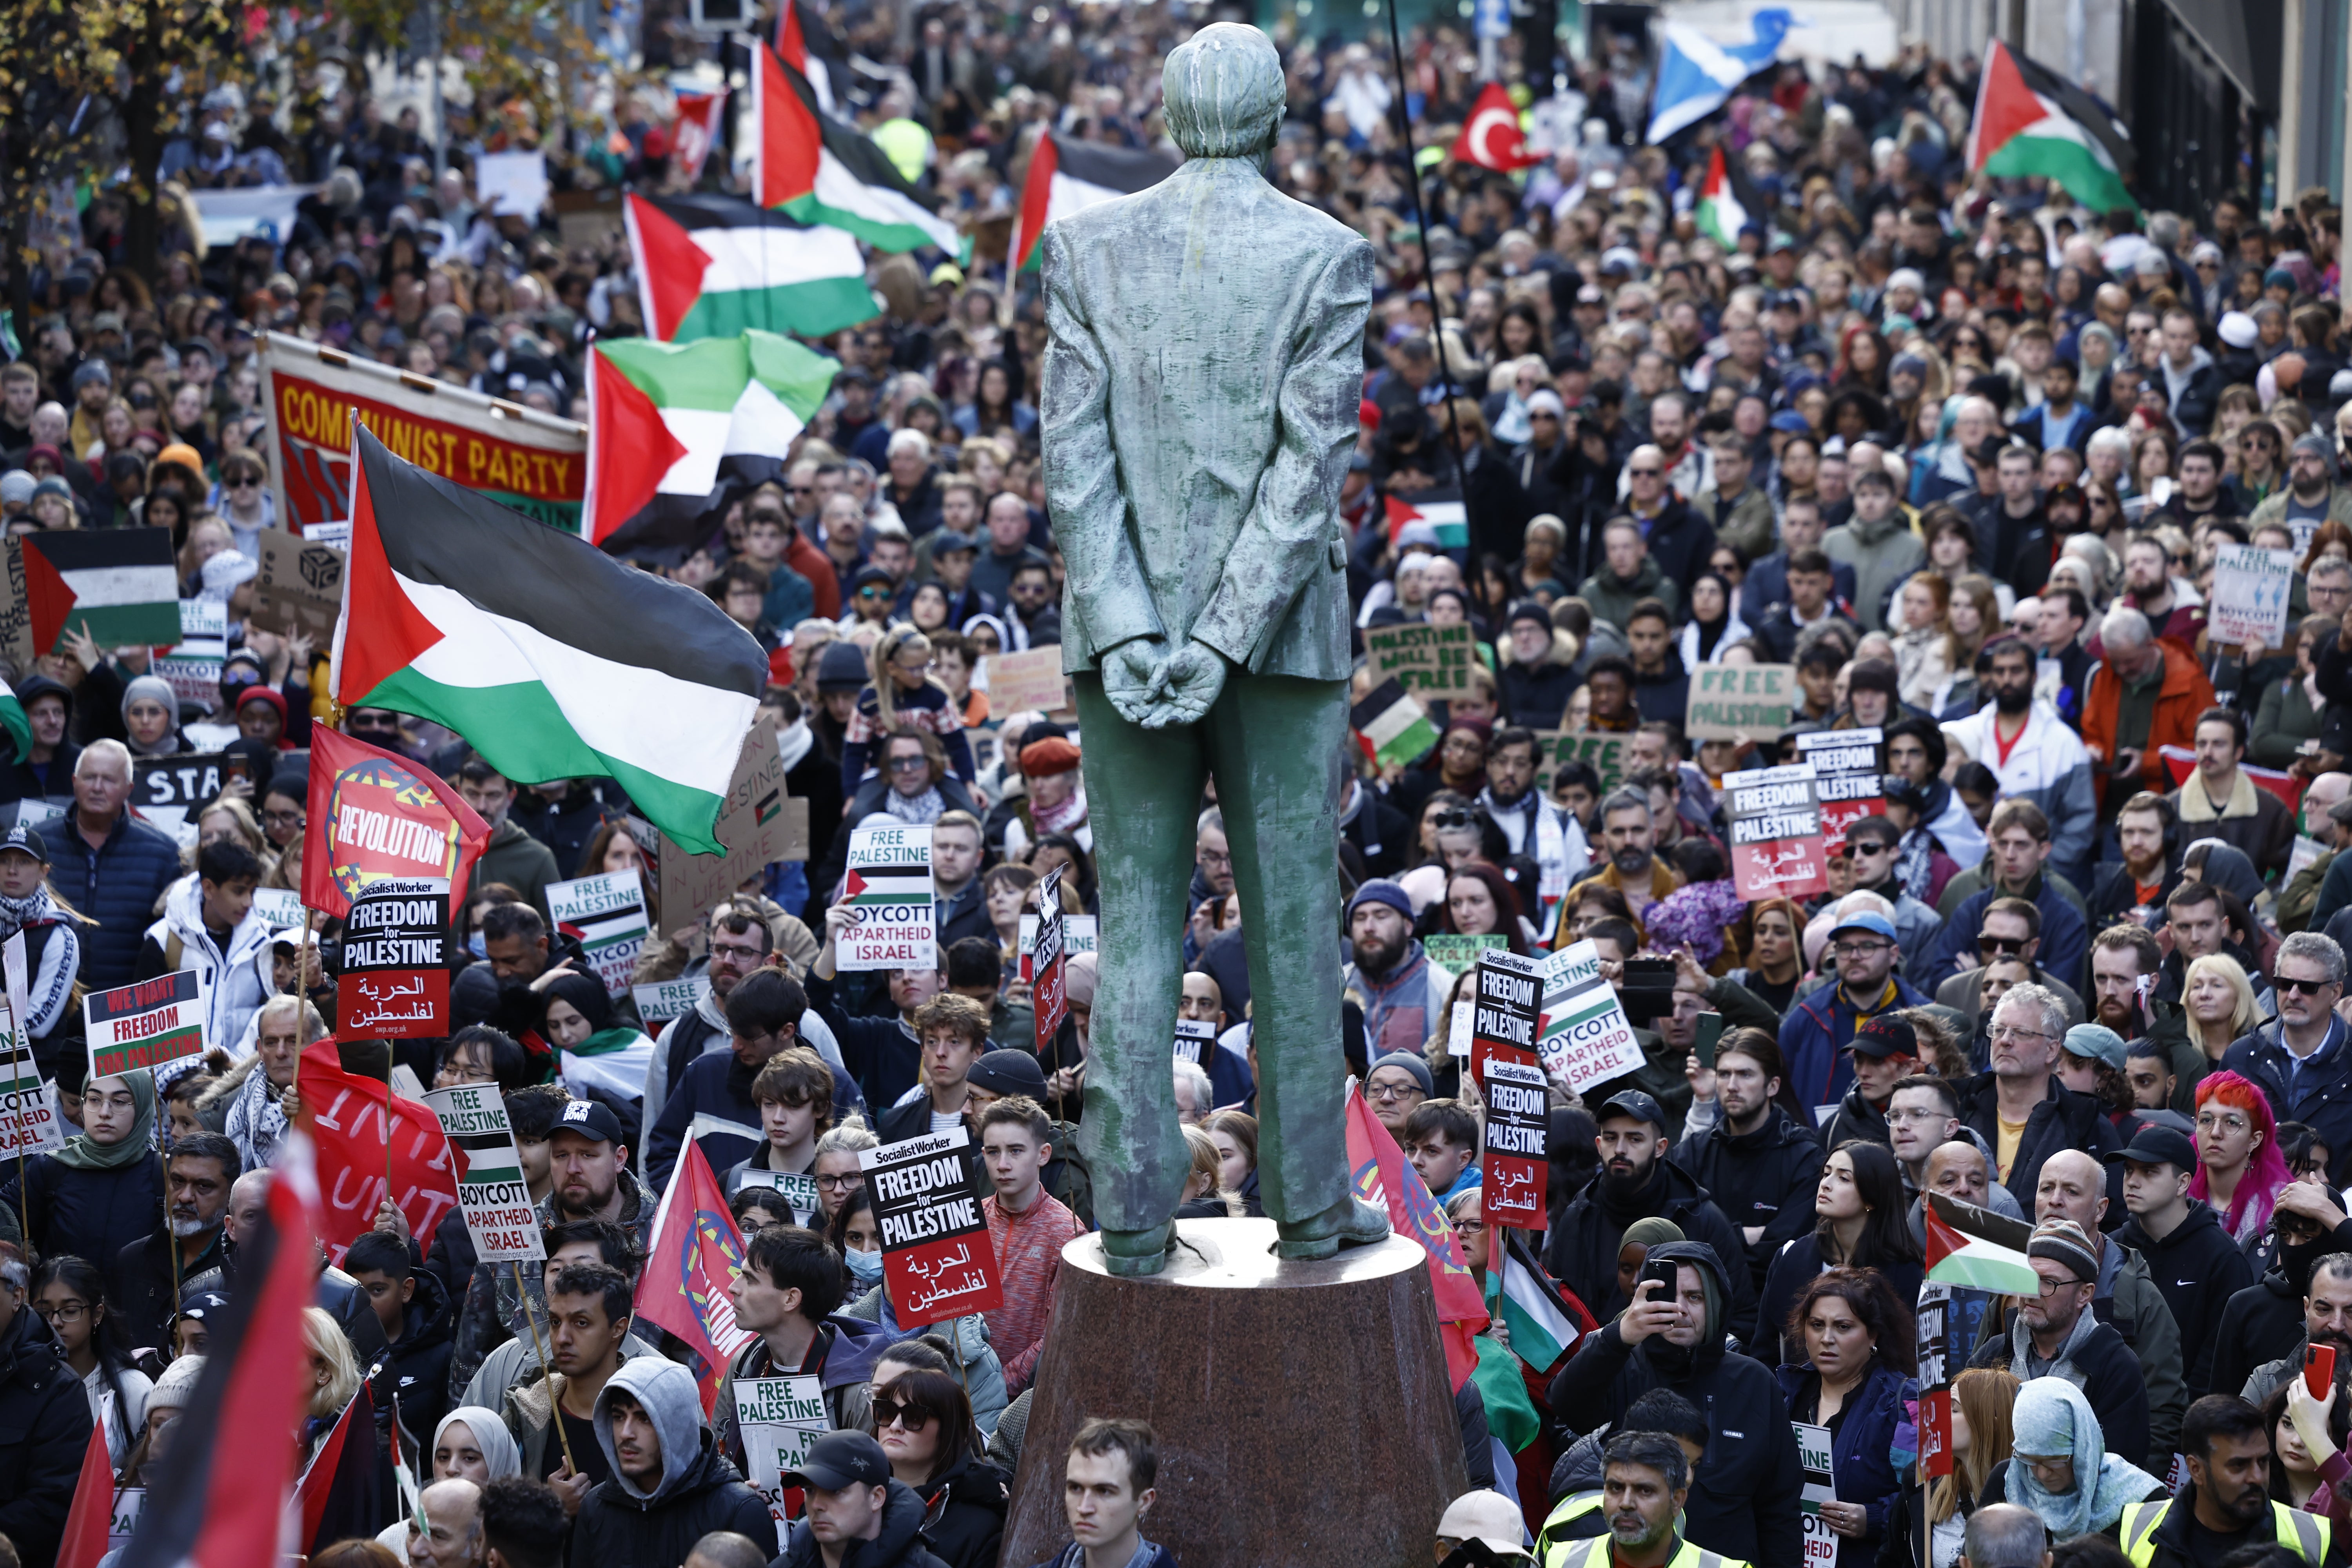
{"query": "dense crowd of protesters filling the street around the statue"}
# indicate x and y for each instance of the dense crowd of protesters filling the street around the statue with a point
(1958, 453)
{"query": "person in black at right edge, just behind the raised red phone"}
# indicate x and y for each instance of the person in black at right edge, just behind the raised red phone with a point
(2304, 1299)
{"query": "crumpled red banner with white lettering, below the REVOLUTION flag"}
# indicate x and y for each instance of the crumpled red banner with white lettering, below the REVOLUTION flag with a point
(347, 1118)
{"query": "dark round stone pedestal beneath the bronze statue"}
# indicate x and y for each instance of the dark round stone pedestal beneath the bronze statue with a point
(1304, 1409)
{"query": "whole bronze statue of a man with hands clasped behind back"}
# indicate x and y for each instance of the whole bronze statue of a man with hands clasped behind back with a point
(1201, 396)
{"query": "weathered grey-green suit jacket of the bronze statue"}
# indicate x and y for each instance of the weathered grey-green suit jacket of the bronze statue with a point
(1201, 401)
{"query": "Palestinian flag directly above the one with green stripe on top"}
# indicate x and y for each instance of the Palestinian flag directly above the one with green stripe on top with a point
(709, 267)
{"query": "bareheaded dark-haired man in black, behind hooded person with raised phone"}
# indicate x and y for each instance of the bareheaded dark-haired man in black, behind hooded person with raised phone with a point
(1756, 1151)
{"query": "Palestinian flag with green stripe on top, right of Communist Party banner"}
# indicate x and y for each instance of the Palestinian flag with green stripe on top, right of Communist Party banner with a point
(679, 429)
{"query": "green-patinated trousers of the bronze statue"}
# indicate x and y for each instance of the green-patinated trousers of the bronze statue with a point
(1271, 744)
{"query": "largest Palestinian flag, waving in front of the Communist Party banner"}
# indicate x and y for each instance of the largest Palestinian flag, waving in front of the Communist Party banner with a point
(549, 657)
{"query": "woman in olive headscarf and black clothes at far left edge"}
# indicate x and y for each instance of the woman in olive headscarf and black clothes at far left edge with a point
(105, 1188)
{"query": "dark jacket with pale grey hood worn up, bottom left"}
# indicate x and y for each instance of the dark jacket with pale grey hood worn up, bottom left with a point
(700, 1492)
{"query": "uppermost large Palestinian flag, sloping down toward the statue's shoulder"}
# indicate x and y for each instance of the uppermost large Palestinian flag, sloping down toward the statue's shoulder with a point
(827, 173)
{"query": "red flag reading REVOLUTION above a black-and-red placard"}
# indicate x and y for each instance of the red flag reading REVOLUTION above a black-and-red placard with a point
(377, 815)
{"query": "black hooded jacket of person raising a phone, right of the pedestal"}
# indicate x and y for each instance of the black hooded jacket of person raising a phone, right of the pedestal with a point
(1744, 1499)
